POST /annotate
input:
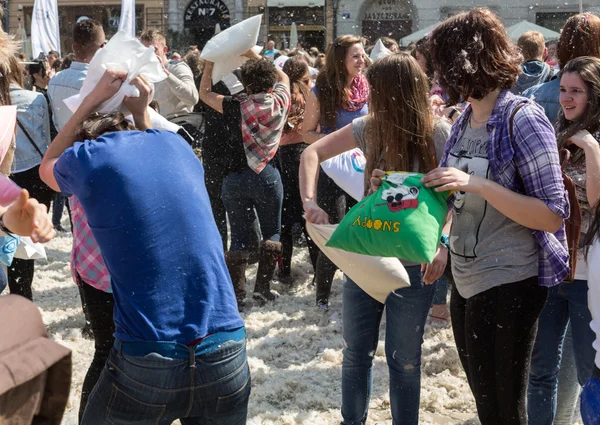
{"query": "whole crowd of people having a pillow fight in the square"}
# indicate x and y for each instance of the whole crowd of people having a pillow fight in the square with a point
(513, 129)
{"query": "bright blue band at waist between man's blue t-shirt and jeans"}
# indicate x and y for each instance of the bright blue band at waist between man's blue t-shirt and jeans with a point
(175, 350)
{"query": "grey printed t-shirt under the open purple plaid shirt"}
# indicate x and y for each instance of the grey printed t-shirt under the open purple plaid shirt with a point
(488, 249)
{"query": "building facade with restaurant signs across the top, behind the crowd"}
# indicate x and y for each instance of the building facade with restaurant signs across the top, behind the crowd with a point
(318, 22)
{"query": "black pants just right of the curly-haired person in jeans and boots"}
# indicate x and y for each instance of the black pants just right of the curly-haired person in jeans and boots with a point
(289, 160)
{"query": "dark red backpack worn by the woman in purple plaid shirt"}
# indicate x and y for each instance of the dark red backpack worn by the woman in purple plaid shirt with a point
(573, 223)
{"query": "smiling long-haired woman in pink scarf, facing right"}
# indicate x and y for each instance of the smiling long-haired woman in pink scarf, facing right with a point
(339, 96)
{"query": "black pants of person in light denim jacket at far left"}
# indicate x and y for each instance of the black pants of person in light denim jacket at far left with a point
(20, 272)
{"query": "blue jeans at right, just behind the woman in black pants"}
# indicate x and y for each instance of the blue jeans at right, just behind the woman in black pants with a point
(567, 303)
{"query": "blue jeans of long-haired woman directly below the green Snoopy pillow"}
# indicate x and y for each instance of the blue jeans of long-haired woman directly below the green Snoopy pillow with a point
(406, 314)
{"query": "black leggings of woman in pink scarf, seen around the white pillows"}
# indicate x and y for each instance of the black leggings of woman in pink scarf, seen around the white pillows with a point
(335, 202)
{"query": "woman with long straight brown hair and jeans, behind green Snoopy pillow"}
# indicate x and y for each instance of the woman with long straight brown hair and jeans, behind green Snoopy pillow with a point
(397, 134)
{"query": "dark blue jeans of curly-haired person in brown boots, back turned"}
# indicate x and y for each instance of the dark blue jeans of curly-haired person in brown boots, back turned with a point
(243, 191)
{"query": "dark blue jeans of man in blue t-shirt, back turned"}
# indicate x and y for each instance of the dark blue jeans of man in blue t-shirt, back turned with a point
(153, 390)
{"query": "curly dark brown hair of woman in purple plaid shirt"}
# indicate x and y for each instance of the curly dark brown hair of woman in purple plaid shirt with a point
(473, 55)
